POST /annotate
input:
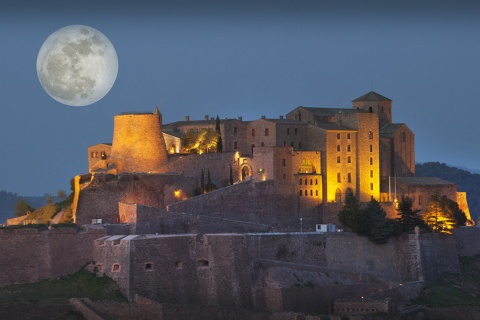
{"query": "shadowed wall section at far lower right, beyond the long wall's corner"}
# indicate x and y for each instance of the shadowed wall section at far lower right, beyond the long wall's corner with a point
(438, 255)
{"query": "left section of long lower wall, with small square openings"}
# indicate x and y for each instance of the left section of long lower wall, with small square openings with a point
(213, 270)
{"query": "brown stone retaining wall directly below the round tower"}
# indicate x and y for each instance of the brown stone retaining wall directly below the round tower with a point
(99, 200)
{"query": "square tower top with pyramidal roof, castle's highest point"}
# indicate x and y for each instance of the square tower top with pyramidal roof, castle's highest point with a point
(375, 103)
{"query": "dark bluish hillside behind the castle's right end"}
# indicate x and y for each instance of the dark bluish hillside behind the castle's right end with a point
(466, 181)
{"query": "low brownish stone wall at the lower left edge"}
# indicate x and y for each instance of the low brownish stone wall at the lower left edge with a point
(30, 255)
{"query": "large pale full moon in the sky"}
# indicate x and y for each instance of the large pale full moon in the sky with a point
(77, 65)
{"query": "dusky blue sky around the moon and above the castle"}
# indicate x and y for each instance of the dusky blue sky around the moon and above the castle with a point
(240, 58)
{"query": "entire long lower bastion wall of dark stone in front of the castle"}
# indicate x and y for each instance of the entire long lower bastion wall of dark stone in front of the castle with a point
(268, 271)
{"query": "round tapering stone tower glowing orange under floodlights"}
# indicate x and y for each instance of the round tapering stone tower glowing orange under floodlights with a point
(138, 144)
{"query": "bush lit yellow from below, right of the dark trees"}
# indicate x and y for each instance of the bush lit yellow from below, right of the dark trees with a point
(443, 214)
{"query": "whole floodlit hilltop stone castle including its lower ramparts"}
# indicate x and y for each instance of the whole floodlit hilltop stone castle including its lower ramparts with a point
(252, 242)
